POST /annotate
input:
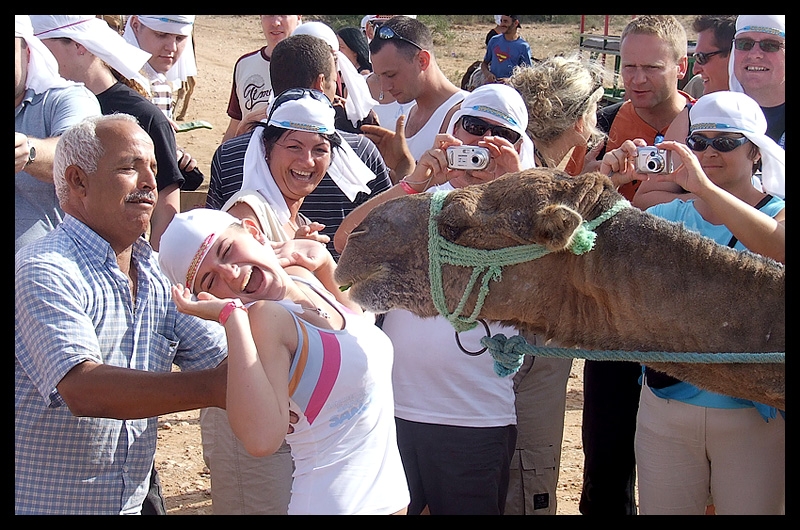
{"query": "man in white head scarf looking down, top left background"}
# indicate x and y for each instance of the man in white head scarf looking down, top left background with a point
(168, 38)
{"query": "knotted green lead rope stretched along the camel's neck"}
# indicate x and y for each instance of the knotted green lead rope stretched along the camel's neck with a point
(508, 354)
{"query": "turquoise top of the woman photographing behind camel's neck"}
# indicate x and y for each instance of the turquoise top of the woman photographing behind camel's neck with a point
(685, 212)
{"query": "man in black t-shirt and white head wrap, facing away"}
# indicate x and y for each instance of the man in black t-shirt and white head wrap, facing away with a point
(89, 51)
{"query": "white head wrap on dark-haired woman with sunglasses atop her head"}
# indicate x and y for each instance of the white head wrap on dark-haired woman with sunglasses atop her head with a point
(307, 114)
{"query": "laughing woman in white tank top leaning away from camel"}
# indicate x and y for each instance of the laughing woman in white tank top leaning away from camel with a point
(299, 362)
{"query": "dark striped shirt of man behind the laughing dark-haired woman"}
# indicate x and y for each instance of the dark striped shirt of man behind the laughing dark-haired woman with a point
(327, 204)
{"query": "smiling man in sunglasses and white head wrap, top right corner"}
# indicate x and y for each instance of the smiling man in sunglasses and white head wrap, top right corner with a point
(758, 67)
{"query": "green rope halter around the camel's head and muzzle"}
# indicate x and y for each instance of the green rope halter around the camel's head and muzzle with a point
(488, 265)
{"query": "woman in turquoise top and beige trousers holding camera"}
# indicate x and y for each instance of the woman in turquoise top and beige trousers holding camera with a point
(690, 443)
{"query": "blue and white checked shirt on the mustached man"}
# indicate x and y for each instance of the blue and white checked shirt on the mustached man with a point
(74, 304)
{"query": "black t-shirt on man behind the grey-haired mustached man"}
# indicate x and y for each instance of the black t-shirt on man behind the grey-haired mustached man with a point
(120, 98)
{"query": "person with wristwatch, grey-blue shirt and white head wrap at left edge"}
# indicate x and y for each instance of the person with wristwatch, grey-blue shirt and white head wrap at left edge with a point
(45, 105)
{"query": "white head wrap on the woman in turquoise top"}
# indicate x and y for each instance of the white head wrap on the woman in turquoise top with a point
(737, 112)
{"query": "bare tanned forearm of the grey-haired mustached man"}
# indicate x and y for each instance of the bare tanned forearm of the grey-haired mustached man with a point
(103, 391)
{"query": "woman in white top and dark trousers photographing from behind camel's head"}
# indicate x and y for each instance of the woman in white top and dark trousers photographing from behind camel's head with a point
(456, 422)
